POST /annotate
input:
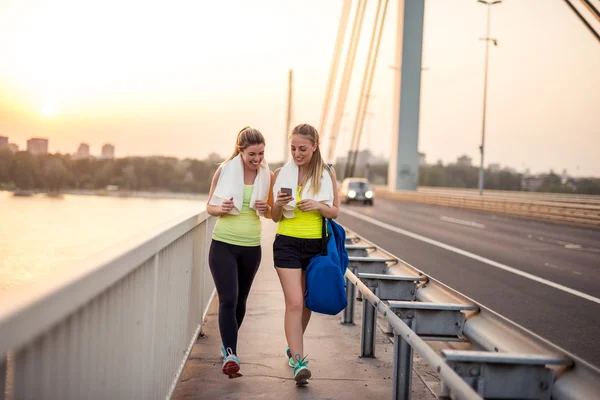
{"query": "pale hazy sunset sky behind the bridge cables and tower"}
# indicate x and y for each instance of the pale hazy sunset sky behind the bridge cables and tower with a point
(181, 78)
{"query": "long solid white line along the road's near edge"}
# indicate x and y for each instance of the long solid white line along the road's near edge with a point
(473, 256)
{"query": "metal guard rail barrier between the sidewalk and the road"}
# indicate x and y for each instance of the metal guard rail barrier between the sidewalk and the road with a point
(504, 361)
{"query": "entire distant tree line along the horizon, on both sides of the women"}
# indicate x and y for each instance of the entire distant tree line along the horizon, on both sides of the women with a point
(55, 172)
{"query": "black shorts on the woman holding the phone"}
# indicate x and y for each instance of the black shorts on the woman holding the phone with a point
(291, 252)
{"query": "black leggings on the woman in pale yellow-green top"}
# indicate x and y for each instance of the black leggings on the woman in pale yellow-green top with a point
(233, 269)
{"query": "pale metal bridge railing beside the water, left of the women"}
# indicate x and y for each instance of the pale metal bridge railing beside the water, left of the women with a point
(121, 328)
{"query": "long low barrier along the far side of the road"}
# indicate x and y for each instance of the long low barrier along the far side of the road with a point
(577, 214)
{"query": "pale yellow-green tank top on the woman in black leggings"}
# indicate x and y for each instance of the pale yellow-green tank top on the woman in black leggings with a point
(243, 229)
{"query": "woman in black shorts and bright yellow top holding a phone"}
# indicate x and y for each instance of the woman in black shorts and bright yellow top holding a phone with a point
(299, 239)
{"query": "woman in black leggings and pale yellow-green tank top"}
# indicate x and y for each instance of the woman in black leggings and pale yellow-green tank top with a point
(235, 251)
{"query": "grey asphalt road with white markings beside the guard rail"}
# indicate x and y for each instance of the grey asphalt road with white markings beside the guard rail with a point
(484, 256)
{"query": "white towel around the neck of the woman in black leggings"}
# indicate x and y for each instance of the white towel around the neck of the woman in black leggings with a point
(231, 185)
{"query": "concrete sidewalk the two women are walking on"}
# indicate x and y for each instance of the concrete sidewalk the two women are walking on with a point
(333, 350)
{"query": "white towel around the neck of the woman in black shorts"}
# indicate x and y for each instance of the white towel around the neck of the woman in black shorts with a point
(288, 177)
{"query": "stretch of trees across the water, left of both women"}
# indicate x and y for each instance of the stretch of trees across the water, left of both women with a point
(55, 172)
